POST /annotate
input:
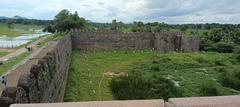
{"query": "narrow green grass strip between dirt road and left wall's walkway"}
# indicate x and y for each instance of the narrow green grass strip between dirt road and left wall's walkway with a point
(10, 63)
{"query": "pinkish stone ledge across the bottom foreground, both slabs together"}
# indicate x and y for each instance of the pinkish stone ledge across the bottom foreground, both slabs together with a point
(219, 101)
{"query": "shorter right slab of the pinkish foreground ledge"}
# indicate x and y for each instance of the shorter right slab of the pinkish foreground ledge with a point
(217, 101)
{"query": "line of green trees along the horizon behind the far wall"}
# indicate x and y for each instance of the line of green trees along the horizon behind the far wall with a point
(214, 37)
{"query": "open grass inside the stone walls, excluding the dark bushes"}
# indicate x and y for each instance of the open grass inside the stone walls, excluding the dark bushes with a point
(91, 72)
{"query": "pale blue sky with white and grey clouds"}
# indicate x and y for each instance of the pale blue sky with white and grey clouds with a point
(169, 11)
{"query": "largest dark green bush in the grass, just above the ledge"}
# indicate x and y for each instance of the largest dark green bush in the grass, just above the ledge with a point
(136, 86)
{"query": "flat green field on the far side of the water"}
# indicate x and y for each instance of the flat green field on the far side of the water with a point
(17, 29)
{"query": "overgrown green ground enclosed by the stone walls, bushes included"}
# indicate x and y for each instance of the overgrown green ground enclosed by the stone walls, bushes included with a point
(111, 75)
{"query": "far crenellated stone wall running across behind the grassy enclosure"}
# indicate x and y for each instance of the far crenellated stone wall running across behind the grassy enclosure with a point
(113, 40)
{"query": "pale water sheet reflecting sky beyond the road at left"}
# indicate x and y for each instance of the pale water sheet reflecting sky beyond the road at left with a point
(7, 42)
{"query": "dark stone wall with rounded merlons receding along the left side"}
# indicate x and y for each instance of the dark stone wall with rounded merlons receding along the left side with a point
(45, 81)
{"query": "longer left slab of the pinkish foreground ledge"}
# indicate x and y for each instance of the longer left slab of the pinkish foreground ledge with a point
(127, 103)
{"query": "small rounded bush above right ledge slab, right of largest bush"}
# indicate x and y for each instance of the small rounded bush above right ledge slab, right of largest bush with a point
(209, 89)
